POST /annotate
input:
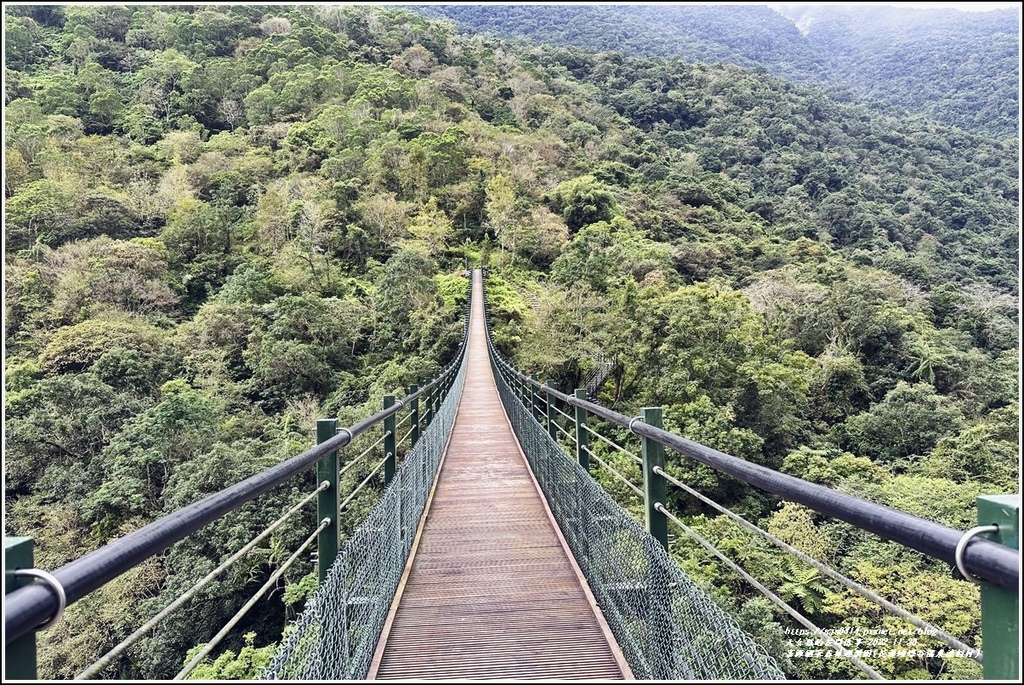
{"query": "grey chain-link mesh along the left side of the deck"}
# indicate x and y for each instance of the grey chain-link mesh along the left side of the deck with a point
(335, 636)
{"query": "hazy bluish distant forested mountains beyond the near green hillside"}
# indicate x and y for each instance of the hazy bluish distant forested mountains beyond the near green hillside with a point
(958, 68)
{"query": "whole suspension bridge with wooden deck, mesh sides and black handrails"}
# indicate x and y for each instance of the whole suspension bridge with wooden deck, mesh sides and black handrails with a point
(494, 554)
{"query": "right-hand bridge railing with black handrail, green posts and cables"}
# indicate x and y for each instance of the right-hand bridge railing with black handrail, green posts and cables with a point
(563, 420)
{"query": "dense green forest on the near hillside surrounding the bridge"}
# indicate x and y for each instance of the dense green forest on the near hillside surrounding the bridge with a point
(226, 223)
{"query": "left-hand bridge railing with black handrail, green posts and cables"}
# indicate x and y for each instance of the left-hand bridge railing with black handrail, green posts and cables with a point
(410, 434)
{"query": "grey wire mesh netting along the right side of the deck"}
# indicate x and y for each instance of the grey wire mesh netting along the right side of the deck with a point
(667, 627)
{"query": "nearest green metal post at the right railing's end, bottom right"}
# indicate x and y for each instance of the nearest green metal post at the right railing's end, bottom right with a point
(1001, 607)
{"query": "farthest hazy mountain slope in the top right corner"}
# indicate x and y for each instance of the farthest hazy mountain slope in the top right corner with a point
(958, 68)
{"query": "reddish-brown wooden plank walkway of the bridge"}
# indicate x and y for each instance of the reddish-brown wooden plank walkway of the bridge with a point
(492, 591)
